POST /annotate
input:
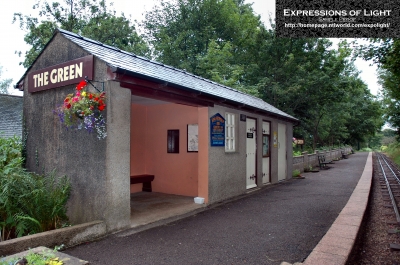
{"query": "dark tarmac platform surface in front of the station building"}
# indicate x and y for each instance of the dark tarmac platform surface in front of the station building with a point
(278, 223)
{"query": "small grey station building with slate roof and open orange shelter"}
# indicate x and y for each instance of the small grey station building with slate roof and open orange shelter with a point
(196, 137)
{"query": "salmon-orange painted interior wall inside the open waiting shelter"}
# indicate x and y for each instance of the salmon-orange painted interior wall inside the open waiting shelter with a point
(174, 173)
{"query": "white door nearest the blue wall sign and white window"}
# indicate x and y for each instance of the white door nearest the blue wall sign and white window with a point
(250, 153)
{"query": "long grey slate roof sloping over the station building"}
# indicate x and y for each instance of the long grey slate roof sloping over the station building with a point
(155, 70)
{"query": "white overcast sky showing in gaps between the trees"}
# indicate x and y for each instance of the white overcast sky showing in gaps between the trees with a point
(13, 36)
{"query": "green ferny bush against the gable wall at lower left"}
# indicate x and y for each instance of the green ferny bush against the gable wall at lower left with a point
(29, 203)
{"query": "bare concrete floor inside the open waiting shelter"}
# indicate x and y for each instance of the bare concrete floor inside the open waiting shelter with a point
(152, 207)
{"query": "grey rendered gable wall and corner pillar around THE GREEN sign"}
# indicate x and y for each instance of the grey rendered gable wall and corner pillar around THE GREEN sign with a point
(90, 163)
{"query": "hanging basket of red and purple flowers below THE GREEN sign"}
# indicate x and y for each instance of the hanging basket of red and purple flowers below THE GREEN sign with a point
(84, 110)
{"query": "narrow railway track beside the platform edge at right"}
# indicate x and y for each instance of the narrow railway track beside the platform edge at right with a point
(389, 179)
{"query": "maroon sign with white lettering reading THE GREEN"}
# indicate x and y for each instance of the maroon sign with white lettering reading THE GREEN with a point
(67, 73)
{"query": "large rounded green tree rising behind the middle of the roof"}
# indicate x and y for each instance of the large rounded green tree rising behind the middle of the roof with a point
(186, 33)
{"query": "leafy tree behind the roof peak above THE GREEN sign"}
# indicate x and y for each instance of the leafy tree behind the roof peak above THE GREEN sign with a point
(90, 18)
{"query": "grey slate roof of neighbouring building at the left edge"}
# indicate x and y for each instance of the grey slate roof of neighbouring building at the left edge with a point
(11, 115)
